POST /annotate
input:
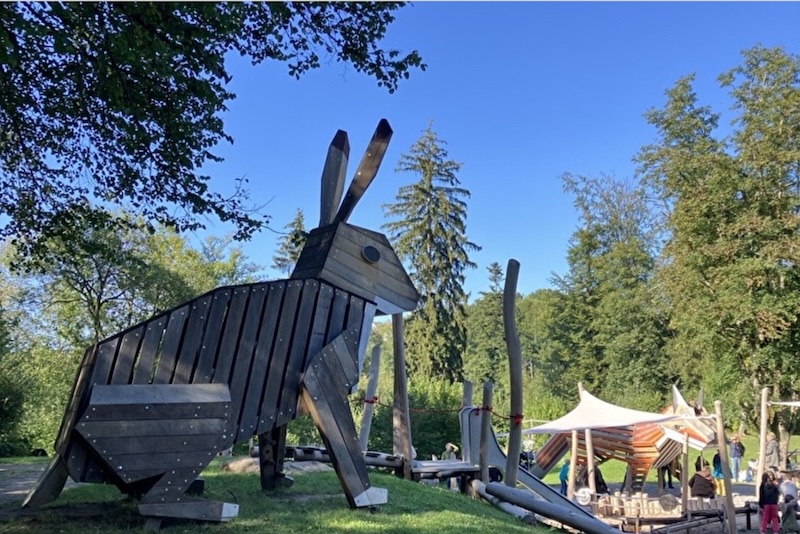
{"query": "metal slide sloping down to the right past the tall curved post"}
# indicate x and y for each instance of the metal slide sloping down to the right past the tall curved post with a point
(471, 443)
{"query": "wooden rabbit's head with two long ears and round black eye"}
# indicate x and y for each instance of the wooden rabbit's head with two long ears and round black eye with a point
(355, 259)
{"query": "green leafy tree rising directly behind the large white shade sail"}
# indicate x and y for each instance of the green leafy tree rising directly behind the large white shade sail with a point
(611, 324)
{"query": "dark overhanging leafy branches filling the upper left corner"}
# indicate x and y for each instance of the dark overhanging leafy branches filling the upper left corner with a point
(121, 103)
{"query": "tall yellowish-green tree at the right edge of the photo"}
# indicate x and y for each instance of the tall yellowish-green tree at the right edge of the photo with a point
(730, 272)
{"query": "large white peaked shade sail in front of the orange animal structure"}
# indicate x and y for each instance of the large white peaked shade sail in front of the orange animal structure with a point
(592, 413)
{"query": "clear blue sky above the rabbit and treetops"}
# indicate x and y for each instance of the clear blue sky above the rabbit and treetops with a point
(521, 92)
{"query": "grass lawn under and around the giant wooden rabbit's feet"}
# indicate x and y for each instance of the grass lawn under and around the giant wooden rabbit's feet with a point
(314, 504)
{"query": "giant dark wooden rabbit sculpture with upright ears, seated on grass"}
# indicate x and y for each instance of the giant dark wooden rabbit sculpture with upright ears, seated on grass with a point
(152, 405)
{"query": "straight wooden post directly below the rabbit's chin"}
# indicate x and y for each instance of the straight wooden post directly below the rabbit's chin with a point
(400, 413)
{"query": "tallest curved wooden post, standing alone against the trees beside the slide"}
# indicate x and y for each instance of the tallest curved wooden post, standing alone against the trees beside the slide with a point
(515, 372)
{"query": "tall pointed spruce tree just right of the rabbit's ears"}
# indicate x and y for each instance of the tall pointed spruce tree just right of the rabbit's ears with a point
(429, 233)
